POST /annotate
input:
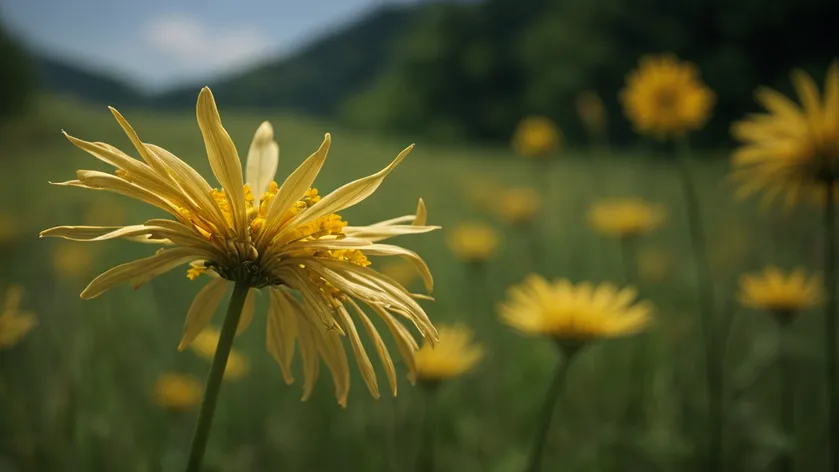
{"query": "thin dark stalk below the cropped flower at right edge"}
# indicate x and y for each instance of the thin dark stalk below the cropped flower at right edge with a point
(830, 322)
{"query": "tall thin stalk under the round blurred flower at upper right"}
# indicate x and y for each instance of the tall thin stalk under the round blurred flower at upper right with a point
(713, 366)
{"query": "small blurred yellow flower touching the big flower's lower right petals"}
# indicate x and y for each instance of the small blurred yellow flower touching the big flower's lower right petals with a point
(454, 355)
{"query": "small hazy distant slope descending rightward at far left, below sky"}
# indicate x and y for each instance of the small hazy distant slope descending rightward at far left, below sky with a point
(63, 78)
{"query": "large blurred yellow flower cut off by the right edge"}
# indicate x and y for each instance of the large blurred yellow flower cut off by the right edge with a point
(791, 149)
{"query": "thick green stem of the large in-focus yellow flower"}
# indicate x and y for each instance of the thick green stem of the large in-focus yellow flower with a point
(211, 391)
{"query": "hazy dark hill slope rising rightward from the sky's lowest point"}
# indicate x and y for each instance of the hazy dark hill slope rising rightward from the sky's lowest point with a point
(317, 78)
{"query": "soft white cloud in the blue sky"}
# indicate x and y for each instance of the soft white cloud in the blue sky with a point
(199, 49)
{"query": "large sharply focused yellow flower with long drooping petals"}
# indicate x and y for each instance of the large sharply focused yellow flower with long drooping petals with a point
(286, 239)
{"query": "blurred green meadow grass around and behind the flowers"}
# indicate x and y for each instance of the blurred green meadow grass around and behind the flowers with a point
(75, 394)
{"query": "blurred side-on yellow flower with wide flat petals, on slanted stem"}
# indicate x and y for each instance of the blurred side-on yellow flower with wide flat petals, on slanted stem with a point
(574, 313)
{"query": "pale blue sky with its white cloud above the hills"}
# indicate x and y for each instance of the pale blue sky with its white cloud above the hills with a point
(158, 43)
